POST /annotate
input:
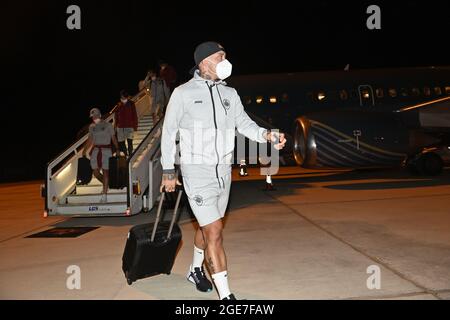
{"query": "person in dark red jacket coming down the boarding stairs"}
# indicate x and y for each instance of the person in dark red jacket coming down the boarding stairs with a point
(126, 122)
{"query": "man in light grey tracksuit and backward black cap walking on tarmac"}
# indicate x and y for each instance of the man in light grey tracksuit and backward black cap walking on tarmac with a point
(206, 113)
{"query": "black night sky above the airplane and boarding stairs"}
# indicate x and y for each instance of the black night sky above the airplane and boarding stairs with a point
(52, 76)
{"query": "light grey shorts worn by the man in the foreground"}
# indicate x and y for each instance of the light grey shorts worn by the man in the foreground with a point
(208, 197)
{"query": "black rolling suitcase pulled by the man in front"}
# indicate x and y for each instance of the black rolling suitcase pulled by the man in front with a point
(151, 248)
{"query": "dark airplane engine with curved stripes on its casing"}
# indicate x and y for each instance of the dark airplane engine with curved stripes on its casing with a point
(354, 140)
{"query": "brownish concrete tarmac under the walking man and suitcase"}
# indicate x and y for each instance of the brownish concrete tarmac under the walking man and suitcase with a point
(330, 234)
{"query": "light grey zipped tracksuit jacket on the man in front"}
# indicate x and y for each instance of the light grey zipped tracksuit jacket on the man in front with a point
(206, 114)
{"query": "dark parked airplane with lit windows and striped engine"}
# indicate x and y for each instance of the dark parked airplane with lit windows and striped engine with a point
(356, 118)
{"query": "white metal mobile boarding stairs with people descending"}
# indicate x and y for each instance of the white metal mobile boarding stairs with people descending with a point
(64, 196)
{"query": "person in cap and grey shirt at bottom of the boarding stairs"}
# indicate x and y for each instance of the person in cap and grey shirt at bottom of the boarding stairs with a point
(101, 133)
